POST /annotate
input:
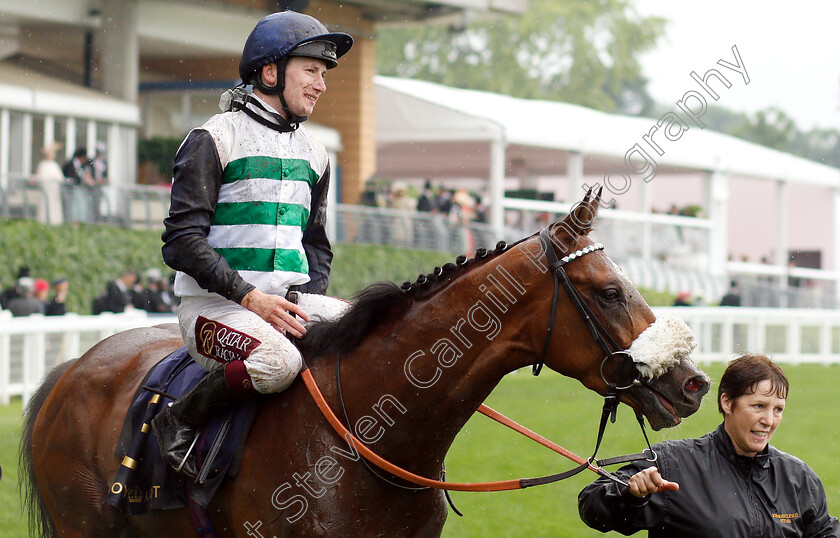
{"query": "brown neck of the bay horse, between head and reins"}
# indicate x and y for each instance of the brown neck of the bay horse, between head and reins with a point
(416, 382)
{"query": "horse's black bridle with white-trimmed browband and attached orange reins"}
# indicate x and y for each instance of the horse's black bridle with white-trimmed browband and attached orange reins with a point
(628, 376)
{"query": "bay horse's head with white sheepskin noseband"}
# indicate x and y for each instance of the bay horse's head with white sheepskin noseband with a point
(611, 338)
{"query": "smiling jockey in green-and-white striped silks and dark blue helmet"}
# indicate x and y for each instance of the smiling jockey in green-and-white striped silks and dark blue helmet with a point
(245, 230)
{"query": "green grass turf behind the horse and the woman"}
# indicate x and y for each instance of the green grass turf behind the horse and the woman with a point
(562, 410)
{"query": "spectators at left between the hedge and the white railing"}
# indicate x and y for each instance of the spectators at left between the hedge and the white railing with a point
(31, 295)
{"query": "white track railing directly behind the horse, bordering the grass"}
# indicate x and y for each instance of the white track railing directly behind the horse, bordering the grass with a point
(31, 346)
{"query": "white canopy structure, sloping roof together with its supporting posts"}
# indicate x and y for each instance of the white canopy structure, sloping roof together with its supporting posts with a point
(426, 130)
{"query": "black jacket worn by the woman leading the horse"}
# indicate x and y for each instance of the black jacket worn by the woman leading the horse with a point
(721, 494)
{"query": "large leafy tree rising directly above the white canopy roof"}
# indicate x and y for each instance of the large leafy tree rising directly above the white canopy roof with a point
(577, 51)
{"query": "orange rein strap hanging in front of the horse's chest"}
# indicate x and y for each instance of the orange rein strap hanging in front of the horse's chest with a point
(368, 454)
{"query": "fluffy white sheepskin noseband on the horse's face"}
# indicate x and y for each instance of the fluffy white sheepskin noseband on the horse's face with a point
(662, 346)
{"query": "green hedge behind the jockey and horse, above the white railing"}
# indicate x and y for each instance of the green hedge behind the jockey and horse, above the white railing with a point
(91, 255)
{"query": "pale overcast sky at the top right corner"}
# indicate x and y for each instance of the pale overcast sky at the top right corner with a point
(791, 52)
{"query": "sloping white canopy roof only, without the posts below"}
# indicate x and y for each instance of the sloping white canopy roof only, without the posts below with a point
(417, 122)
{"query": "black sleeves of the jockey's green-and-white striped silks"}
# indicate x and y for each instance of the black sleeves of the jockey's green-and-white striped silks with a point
(195, 193)
